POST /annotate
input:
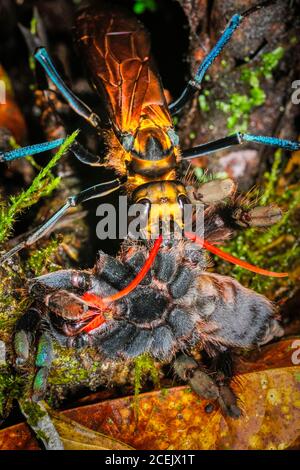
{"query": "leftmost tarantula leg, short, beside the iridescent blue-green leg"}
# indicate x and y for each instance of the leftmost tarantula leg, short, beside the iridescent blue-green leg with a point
(23, 339)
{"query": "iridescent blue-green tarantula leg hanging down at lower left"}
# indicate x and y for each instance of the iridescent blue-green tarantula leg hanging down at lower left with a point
(43, 361)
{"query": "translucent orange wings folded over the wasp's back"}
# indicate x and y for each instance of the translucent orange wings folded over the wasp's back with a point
(116, 49)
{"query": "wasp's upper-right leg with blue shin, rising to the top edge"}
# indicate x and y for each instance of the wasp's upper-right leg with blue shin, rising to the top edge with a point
(194, 85)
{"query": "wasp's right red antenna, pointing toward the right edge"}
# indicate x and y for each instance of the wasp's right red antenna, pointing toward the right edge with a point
(232, 259)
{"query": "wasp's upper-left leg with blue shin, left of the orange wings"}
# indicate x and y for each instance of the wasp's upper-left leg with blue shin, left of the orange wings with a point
(42, 56)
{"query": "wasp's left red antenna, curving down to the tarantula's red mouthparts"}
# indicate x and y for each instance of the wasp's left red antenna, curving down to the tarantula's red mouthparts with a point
(99, 303)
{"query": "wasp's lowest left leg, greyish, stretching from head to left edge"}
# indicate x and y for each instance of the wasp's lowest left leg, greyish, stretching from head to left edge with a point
(98, 190)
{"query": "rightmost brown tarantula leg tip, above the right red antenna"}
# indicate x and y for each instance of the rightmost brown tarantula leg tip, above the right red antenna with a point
(261, 216)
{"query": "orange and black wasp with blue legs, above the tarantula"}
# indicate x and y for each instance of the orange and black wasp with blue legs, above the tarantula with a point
(143, 147)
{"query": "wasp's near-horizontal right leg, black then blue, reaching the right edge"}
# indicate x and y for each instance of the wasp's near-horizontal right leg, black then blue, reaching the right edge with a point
(238, 139)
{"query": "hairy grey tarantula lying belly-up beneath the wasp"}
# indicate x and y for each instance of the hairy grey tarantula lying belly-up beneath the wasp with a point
(179, 308)
